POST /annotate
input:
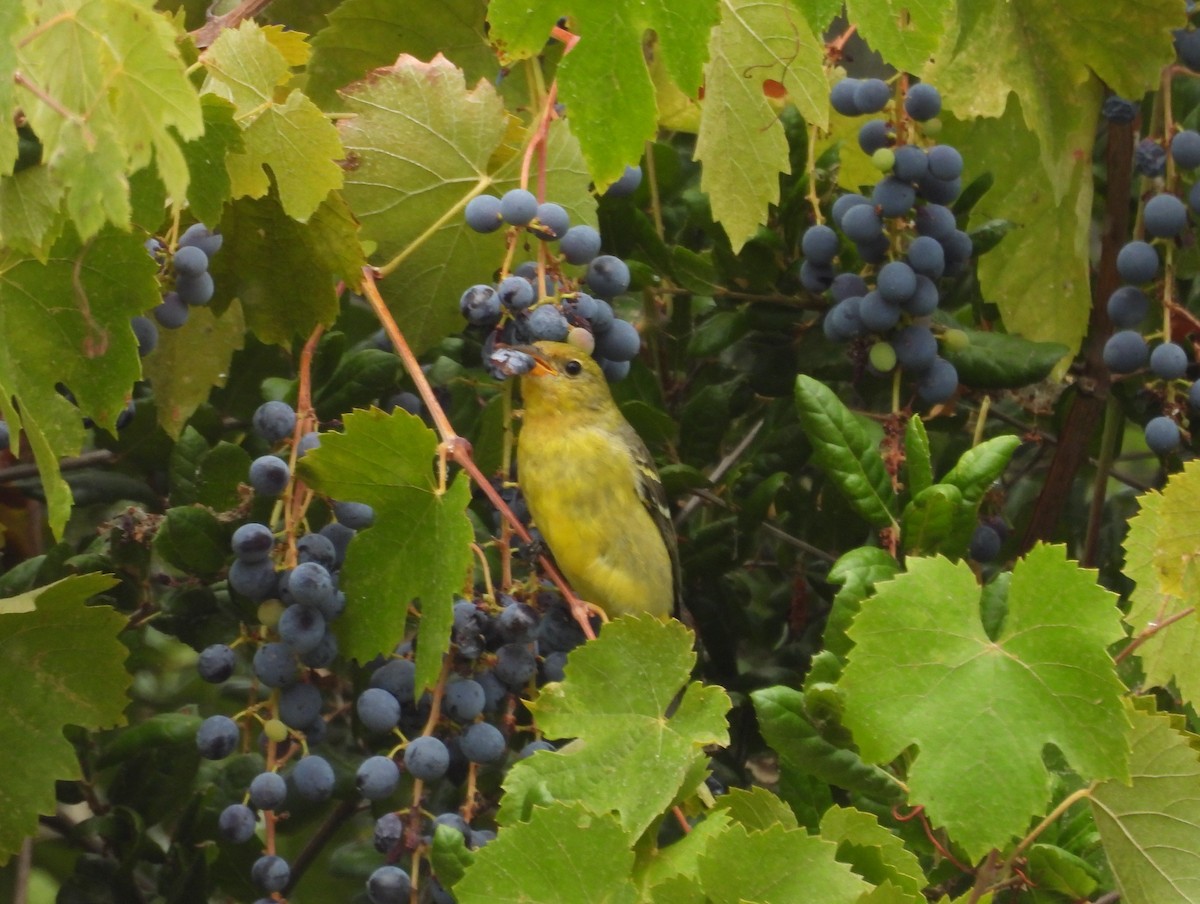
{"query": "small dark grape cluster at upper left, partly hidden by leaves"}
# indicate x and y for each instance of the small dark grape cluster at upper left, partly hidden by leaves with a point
(188, 274)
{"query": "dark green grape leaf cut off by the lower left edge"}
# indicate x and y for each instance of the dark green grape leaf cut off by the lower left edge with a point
(61, 664)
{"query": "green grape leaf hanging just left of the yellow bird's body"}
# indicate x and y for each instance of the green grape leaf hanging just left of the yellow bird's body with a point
(417, 552)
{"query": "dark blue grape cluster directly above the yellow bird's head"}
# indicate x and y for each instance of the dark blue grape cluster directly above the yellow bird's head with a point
(542, 301)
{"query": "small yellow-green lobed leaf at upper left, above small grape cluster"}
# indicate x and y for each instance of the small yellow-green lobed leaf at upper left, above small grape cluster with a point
(290, 136)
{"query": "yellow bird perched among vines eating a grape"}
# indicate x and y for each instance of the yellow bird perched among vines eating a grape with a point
(592, 487)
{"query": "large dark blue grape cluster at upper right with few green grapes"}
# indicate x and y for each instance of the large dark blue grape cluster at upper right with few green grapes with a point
(904, 238)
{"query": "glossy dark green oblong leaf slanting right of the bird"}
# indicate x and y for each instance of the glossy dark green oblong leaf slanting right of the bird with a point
(843, 451)
